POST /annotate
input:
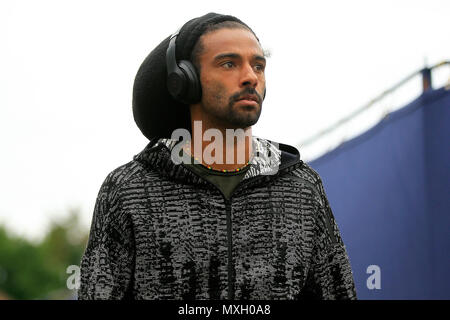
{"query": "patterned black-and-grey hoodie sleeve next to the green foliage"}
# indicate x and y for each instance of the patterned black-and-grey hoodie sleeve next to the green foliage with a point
(107, 265)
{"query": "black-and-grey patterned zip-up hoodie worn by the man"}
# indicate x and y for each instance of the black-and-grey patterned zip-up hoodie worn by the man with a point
(160, 231)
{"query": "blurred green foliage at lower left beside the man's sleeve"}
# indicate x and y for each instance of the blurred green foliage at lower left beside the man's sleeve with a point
(38, 270)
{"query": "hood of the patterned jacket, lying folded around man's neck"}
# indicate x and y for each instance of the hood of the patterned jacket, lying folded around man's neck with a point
(268, 160)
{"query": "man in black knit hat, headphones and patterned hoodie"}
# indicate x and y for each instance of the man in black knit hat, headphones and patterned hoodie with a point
(243, 219)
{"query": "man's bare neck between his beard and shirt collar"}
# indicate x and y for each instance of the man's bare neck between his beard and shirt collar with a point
(219, 148)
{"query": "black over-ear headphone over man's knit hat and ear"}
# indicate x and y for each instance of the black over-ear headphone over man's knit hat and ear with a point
(182, 79)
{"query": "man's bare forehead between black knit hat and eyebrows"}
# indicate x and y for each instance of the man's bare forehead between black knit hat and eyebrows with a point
(241, 41)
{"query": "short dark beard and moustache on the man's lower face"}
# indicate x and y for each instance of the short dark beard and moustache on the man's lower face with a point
(223, 111)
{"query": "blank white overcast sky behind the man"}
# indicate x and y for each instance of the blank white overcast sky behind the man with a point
(67, 70)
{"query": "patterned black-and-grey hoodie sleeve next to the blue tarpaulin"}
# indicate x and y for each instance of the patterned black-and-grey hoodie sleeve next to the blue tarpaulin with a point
(330, 276)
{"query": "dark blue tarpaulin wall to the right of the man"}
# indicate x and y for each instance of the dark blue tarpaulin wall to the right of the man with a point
(389, 190)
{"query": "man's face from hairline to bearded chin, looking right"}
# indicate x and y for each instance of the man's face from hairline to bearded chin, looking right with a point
(232, 77)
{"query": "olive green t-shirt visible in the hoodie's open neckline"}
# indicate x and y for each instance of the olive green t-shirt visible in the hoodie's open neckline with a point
(225, 181)
